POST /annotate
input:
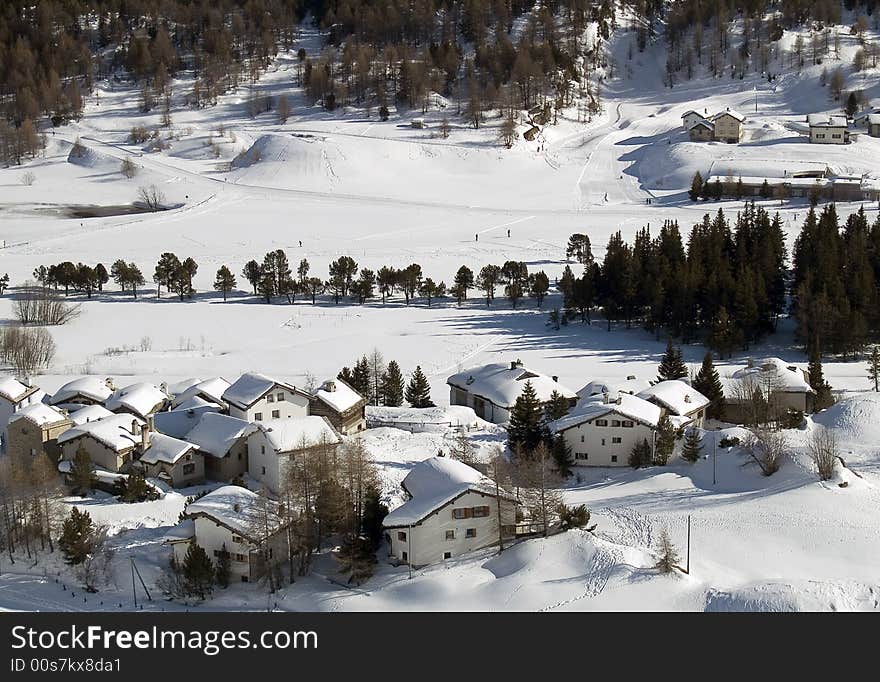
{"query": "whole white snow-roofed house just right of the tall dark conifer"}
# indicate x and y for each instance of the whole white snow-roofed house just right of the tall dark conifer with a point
(603, 430)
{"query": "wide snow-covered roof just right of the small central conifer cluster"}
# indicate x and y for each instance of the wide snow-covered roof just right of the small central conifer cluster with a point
(501, 384)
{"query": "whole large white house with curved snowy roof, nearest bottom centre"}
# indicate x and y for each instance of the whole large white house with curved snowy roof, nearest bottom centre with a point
(452, 509)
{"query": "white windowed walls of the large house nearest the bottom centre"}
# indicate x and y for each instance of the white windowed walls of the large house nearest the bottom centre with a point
(441, 535)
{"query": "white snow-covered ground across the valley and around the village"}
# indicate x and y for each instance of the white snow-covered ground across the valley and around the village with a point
(385, 193)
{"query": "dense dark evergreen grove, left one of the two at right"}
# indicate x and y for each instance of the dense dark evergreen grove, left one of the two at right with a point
(726, 288)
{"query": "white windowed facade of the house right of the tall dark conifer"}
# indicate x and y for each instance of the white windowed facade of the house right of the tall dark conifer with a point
(606, 440)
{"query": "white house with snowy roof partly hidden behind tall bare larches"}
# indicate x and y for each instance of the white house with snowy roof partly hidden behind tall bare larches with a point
(275, 444)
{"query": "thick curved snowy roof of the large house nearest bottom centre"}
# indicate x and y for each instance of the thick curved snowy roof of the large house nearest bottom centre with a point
(434, 483)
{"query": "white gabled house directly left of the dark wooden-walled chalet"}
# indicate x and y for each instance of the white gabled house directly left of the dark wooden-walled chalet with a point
(256, 397)
